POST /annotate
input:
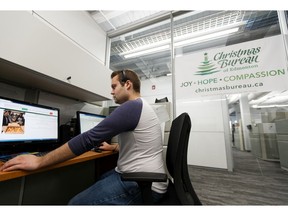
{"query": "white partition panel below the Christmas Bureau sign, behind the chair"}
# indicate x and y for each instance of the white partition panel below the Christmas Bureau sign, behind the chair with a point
(209, 135)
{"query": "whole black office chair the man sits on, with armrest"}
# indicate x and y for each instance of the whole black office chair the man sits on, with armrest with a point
(180, 190)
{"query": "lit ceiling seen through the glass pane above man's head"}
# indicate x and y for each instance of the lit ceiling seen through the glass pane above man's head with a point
(145, 50)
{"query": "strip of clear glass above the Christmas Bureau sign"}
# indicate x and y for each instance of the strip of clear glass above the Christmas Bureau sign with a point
(211, 29)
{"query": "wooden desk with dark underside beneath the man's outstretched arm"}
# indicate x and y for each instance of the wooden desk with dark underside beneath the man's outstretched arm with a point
(57, 184)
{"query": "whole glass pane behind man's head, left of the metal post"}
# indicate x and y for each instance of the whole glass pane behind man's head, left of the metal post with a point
(147, 51)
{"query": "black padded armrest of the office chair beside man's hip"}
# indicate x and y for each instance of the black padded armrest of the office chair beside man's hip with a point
(144, 177)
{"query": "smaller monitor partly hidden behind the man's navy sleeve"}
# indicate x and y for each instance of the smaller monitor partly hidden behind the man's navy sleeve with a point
(86, 121)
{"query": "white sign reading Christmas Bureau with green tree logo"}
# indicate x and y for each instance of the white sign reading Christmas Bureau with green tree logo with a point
(255, 66)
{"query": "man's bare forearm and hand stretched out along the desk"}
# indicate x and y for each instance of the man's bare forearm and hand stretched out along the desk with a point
(32, 162)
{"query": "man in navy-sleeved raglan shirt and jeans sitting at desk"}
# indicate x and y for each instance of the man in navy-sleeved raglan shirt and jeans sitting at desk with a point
(140, 147)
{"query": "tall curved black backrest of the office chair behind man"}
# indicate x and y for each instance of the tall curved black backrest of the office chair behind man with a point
(176, 160)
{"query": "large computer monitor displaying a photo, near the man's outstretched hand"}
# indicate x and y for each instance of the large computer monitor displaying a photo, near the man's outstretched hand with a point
(27, 126)
